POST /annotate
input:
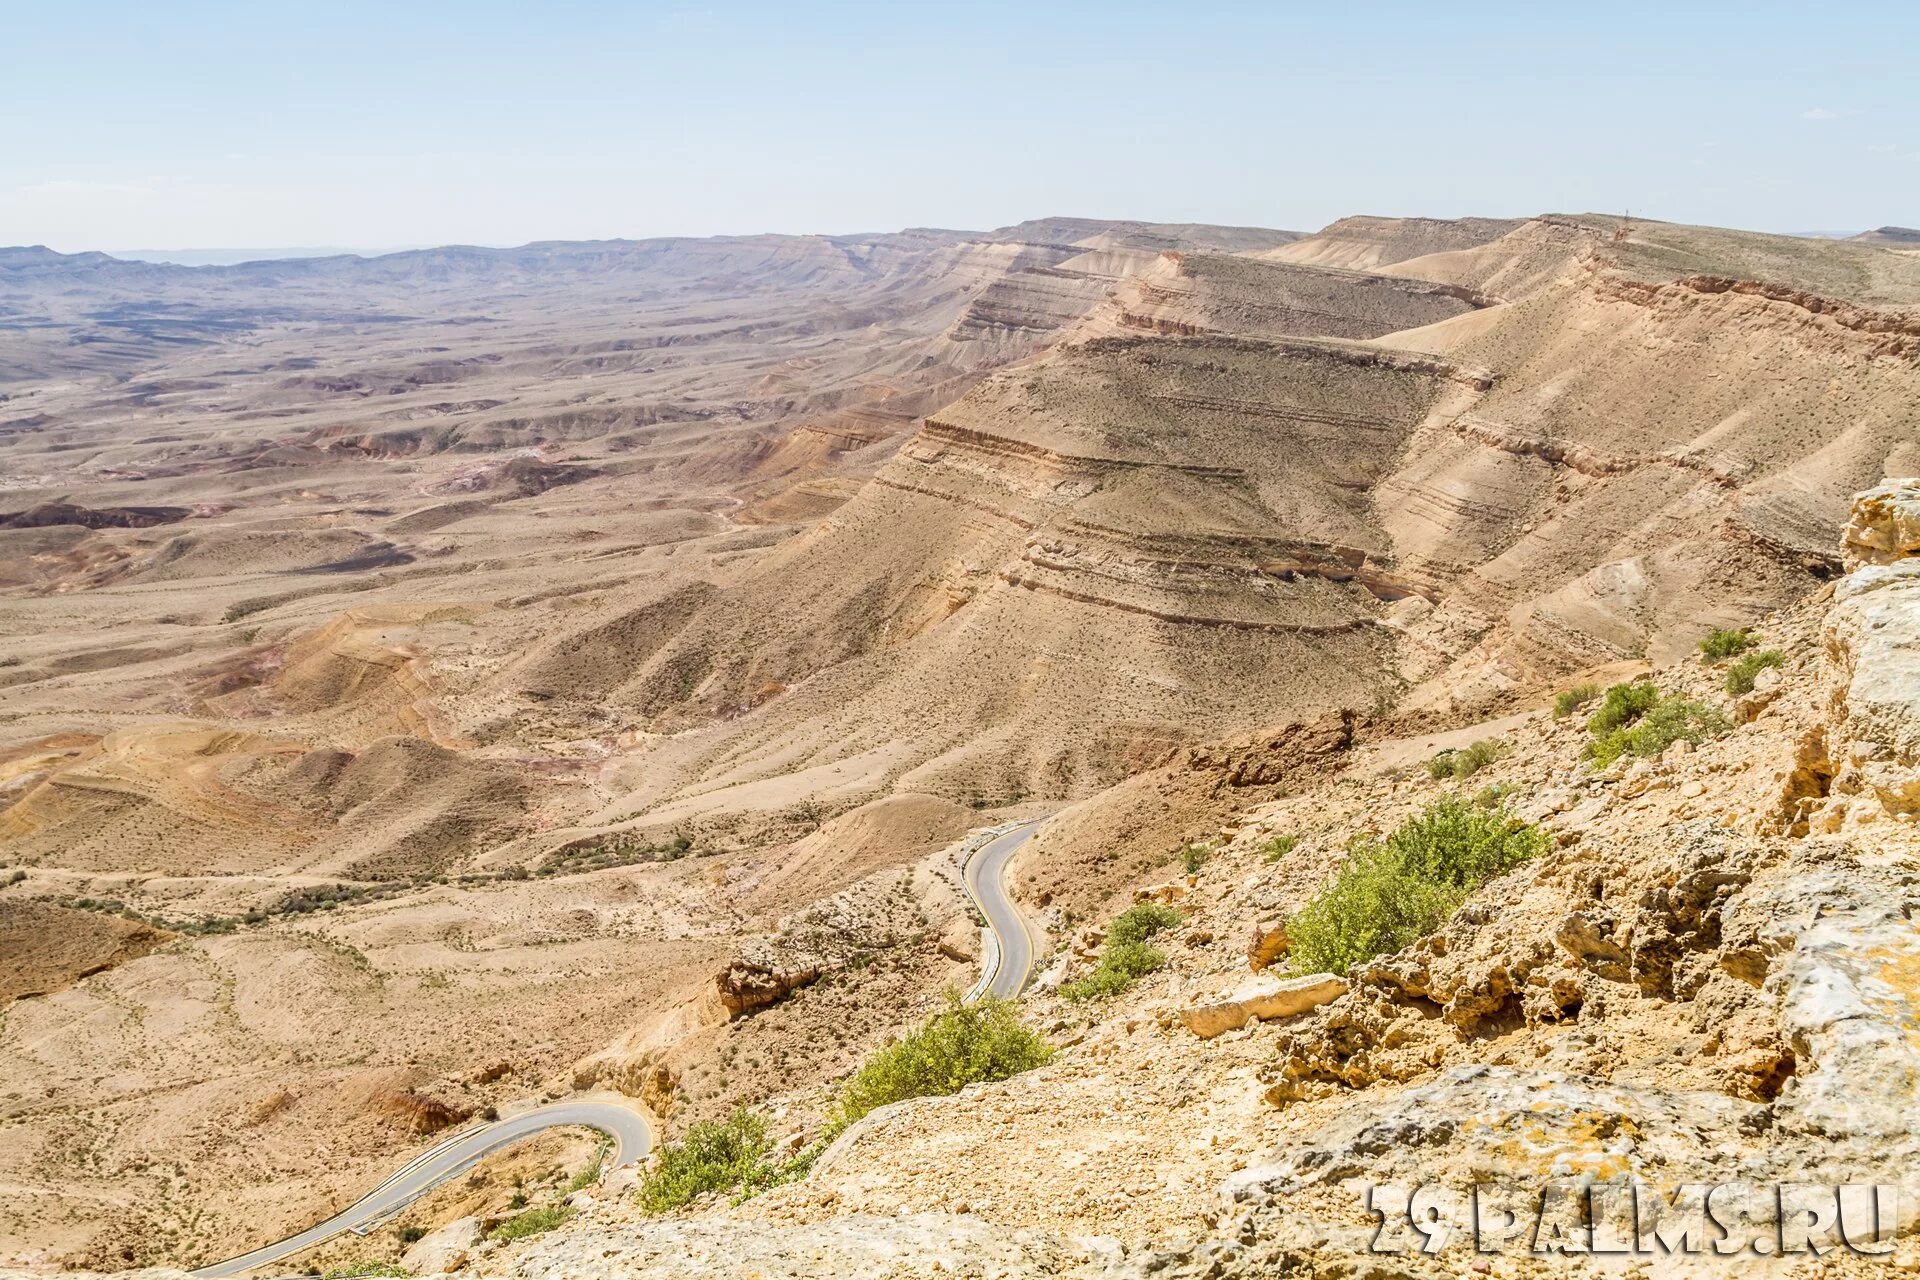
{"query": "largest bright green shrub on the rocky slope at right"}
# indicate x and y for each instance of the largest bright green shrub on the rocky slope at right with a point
(1404, 888)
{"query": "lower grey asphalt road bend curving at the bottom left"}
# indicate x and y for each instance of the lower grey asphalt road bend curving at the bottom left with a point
(629, 1129)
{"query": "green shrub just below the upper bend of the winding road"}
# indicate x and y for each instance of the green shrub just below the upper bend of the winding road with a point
(961, 1045)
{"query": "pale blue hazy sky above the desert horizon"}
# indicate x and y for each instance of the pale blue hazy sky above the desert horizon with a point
(183, 126)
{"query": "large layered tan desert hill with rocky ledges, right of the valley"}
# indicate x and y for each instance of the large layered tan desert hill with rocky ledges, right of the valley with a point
(1493, 496)
